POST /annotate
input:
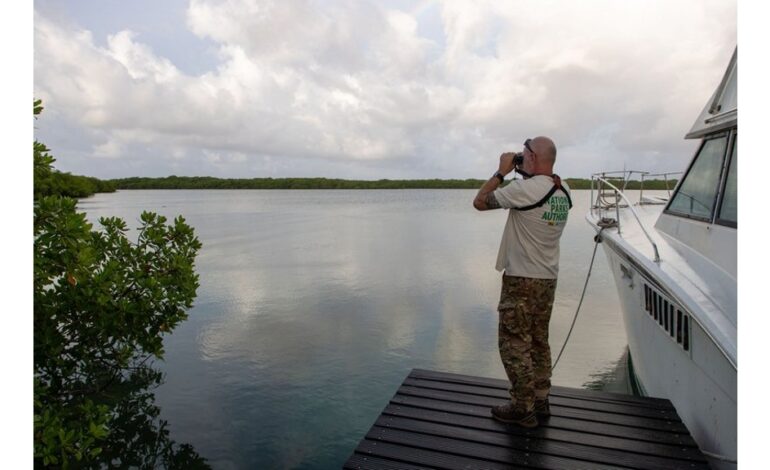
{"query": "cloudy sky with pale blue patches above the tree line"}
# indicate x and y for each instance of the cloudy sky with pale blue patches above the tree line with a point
(370, 90)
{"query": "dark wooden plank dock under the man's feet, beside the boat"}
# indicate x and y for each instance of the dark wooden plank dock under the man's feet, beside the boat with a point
(442, 420)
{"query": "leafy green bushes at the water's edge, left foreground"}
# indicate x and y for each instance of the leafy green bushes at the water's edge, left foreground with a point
(102, 307)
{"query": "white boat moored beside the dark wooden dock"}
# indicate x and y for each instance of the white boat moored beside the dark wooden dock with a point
(675, 268)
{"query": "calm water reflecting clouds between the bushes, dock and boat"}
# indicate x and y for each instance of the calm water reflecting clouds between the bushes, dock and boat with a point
(314, 306)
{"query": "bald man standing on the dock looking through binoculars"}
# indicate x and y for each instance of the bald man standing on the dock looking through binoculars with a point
(529, 257)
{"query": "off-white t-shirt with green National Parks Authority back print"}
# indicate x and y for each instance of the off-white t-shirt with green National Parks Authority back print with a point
(530, 244)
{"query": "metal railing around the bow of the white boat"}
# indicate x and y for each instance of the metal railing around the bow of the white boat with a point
(605, 188)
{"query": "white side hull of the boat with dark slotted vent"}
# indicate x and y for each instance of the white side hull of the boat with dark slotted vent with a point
(696, 377)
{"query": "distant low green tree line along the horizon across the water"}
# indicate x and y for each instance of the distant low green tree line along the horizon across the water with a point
(208, 182)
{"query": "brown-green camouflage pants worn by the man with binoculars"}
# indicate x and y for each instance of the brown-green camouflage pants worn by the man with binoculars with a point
(525, 311)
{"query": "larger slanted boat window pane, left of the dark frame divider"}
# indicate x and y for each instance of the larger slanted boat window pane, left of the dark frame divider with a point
(696, 195)
